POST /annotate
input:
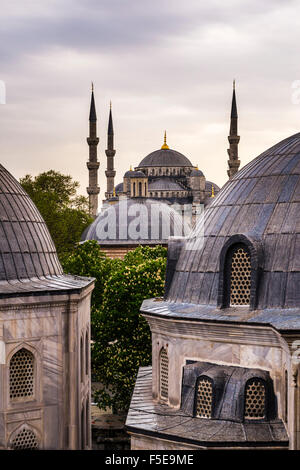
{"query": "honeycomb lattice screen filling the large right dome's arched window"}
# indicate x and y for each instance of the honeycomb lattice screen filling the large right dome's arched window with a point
(240, 279)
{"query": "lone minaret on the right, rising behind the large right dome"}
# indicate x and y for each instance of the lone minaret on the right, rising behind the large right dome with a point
(233, 138)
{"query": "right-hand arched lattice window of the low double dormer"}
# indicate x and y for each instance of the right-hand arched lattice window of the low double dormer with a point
(255, 399)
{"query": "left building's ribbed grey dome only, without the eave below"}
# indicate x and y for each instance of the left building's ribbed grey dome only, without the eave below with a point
(26, 248)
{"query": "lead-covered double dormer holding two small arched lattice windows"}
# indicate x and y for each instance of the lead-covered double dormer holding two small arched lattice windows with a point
(229, 393)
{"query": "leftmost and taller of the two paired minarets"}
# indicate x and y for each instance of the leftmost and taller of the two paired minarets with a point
(93, 164)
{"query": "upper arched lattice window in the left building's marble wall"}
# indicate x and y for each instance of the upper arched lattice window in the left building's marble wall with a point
(21, 375)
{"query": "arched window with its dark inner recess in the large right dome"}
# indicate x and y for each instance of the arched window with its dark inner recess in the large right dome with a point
(238, 273)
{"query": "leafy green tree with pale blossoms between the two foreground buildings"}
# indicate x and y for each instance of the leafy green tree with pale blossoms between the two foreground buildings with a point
(121, 336)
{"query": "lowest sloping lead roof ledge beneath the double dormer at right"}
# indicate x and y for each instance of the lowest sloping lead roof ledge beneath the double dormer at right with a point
(160, 421)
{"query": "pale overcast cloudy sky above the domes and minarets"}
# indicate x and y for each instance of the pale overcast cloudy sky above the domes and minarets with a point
(165, 64)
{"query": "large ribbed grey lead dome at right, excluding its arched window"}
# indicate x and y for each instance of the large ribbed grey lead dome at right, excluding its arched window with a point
(261, 202)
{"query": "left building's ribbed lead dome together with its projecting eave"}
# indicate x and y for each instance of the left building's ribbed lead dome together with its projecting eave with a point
(28, 258)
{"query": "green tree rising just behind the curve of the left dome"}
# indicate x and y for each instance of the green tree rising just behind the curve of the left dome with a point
(65, 213)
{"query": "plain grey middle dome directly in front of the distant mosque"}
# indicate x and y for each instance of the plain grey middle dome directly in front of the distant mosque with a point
(124, 213)
